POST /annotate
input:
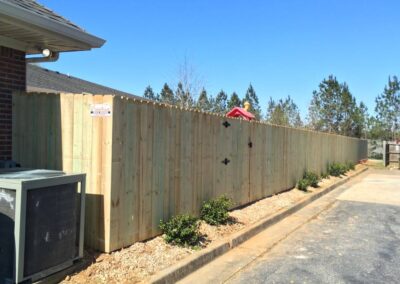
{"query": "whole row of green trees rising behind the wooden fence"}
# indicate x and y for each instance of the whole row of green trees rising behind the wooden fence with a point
(333, 108)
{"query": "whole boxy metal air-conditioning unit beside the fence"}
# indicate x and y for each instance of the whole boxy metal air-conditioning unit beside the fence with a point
(41, 222)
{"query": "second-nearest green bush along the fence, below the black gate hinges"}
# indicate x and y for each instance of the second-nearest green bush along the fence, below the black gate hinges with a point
(215, 211)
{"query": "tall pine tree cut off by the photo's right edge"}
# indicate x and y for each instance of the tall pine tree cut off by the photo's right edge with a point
(388, 107)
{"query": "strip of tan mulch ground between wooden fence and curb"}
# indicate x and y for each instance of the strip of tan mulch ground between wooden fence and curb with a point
(138, 262)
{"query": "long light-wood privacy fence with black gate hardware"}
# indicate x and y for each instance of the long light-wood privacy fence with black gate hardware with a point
(147, 161)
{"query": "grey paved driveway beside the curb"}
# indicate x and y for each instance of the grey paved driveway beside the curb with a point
(356, 241)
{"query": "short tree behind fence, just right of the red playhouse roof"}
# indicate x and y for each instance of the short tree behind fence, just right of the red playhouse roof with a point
(284, 112)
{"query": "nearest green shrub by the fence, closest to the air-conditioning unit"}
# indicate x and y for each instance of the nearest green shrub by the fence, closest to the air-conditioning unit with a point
(182, 230)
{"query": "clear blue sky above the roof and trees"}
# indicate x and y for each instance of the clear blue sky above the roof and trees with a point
(281, 47)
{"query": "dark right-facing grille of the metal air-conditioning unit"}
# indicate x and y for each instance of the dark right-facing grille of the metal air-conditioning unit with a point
(52, 227)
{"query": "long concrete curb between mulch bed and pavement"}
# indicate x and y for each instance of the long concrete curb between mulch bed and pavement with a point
(194, 262)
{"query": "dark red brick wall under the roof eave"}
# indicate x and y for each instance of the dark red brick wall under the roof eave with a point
(12, 77)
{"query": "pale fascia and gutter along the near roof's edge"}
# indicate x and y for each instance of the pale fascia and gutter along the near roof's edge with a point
(32, 18)
